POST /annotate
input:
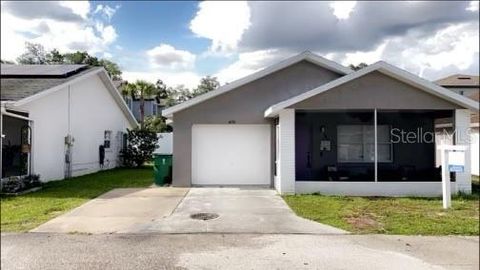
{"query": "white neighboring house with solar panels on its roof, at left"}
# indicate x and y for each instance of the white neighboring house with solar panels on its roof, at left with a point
(65, 114)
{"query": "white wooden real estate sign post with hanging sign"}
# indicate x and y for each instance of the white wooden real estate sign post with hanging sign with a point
(453, 160)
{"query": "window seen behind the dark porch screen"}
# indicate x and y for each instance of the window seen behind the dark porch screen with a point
(356, 143)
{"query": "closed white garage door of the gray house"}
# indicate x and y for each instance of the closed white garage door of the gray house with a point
(231, 155)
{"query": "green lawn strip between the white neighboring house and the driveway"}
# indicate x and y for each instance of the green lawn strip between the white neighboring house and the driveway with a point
(25, 212)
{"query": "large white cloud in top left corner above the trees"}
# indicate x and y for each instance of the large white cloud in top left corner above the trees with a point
(54, 31)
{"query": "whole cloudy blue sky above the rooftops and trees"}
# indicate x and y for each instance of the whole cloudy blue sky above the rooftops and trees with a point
(179, 42)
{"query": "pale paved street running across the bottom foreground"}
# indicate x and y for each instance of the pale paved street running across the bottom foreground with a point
(236, 251)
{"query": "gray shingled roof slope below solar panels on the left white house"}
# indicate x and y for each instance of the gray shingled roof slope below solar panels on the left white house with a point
(13, 89)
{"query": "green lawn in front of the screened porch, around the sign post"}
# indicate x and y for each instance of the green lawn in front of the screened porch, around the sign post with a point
(413, 216)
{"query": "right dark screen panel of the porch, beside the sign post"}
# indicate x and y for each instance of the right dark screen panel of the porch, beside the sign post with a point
(407, 152)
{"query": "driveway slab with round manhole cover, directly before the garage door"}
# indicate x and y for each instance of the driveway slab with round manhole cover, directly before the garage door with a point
(239, 210)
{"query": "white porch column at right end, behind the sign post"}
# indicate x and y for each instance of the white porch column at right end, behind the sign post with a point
(462, 137)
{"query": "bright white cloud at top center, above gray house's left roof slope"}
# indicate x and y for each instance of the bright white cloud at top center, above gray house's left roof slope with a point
(222, 22)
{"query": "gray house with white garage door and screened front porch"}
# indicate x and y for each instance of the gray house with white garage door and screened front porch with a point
(308, 124)
